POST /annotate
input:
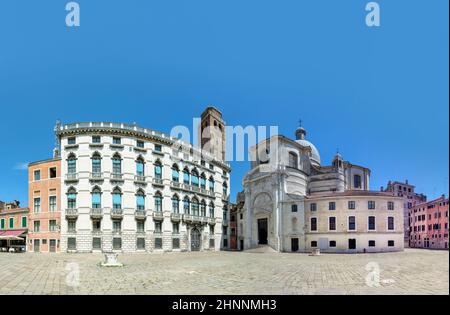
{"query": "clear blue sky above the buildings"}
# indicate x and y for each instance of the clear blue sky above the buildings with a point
(379, 95)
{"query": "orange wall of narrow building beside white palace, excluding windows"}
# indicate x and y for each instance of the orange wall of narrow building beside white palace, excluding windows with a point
(43, 189)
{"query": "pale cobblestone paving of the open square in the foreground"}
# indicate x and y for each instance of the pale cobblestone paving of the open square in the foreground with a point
(411, 272)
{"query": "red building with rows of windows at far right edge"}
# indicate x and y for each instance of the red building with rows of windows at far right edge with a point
(429, 224)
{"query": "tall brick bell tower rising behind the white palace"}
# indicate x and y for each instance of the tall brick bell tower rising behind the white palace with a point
(212, 133)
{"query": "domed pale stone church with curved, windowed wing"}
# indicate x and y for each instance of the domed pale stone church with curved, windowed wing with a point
(294, 204)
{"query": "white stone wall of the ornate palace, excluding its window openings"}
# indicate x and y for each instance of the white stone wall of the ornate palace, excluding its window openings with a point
(129, 153)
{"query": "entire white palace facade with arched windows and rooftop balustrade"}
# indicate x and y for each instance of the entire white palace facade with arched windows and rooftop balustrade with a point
(125, 189)
